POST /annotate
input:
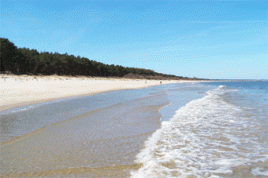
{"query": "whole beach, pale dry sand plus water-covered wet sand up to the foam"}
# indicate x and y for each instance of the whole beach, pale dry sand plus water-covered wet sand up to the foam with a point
(74, 127)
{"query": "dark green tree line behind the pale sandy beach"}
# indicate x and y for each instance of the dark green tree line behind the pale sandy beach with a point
(29, 61)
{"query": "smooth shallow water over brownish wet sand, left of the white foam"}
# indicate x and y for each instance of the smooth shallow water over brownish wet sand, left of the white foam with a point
(98, 143)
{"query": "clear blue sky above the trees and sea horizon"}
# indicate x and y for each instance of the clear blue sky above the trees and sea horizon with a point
(206, 39)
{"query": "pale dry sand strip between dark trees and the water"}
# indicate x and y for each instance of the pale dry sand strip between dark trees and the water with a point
(22, 90)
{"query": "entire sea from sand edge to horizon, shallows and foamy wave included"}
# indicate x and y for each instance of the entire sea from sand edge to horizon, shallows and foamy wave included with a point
(195, 129)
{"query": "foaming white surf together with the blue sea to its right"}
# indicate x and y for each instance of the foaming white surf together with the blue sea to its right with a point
(222, 134)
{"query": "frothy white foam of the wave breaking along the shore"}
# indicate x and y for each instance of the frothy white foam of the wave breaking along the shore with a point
(203, 139)
